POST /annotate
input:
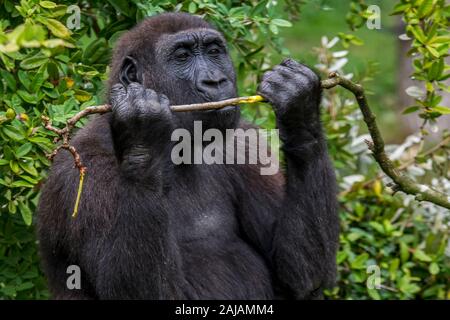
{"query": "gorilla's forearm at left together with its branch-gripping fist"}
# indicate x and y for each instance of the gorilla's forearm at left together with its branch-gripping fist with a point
(140, 239)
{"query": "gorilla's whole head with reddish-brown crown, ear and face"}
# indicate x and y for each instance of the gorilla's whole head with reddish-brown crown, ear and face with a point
(183, 57)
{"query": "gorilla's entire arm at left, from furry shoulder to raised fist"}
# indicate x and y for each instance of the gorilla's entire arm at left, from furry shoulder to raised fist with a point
(121, 231)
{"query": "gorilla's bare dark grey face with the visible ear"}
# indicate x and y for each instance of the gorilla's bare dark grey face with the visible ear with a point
(190, 66)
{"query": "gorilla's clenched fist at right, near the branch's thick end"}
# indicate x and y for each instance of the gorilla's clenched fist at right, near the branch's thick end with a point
(294, 91)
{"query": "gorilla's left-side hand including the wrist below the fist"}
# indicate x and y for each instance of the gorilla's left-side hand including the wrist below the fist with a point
(142, 123)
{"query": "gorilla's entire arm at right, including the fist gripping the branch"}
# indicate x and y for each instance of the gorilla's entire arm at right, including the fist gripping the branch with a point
(305, 232)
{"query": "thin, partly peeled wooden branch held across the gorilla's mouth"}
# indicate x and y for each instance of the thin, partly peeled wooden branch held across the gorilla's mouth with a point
(402, 182)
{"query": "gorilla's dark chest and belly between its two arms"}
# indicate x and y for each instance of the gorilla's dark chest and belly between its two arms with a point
(216, 258)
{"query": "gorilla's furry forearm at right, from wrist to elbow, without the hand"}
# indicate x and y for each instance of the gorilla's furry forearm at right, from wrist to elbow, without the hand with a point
(307, 233)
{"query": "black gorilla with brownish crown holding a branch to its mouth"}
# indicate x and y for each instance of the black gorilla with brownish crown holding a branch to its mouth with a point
(150, 229)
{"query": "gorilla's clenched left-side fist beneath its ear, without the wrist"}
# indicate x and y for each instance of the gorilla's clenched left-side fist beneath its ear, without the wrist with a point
(139, 115)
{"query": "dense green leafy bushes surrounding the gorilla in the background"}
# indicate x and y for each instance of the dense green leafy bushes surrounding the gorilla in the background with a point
(54, 62)
